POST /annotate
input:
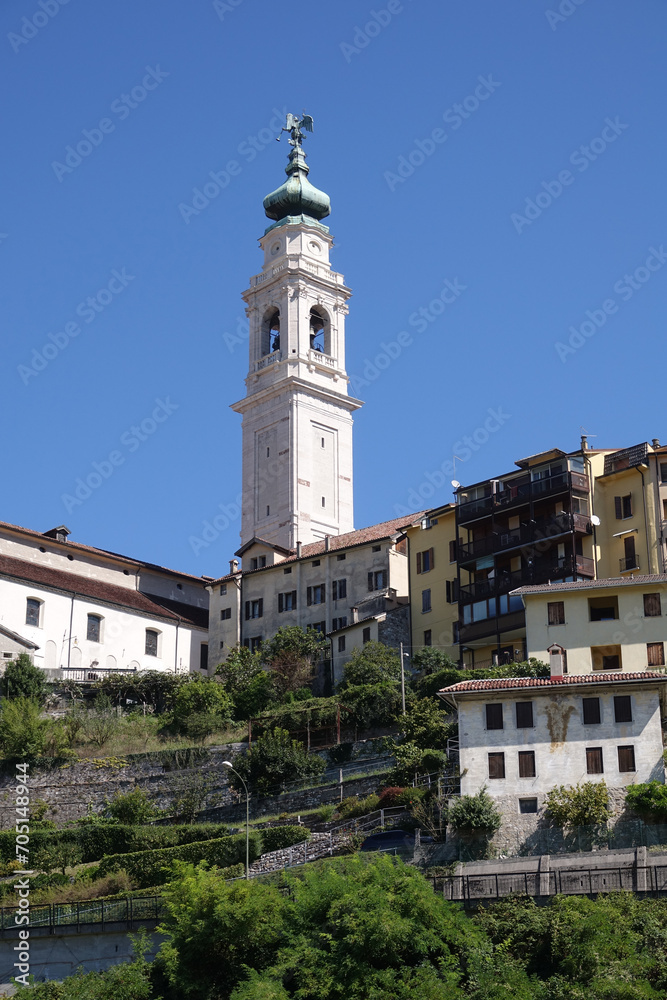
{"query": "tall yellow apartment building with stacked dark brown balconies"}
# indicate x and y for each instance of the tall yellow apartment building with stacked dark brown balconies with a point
(558, 517)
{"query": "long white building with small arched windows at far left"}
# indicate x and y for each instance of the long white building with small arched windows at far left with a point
(83, 612)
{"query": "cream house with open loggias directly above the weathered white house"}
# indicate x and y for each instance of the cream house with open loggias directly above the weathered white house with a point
(617, 624)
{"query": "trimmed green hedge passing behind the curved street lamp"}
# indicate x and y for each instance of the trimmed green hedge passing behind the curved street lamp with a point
(148, 868)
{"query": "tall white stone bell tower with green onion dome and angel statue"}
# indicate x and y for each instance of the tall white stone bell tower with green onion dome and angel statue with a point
(297, 415)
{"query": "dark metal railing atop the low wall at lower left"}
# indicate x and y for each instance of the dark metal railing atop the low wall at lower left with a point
(130, 911)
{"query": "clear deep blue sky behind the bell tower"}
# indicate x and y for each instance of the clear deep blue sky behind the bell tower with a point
(514, 150)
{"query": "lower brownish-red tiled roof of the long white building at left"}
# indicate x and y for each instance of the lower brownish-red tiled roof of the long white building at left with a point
(96, 590)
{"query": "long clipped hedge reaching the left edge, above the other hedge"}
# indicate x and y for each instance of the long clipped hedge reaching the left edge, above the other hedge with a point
(95, 840)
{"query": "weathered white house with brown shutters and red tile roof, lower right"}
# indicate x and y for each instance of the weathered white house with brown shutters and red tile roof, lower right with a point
(520, 737)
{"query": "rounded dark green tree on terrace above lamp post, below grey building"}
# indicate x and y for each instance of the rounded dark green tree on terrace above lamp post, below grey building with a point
(275, 759)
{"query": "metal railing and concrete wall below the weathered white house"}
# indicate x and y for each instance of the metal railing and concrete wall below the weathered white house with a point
(494, 885)
